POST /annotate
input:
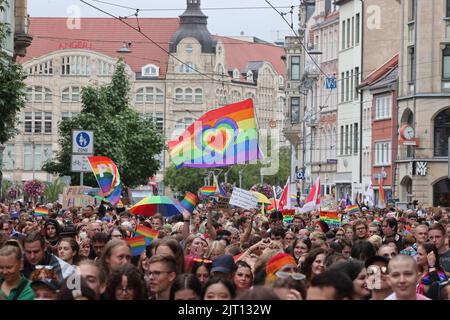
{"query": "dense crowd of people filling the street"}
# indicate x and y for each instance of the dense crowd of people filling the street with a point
(223, 254)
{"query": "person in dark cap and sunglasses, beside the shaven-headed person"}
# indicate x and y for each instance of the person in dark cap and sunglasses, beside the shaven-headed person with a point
(377, 274)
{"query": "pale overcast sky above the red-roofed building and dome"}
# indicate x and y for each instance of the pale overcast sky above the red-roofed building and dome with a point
(265, 23)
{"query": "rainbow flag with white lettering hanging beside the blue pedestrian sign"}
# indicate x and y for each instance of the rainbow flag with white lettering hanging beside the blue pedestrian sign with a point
(108, 178)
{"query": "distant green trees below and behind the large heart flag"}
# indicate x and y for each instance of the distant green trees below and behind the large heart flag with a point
(190, 179)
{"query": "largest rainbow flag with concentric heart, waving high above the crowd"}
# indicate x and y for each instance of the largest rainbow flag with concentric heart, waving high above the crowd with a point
(221, 137)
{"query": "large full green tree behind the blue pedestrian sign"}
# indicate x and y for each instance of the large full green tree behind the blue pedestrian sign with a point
(134, 144)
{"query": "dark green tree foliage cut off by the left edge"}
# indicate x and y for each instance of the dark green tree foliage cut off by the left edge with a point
(12, 87)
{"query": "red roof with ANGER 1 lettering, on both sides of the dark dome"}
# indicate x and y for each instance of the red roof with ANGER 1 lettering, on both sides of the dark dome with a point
(107, 35)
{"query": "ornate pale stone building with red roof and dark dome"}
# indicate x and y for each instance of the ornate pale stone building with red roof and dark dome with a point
(178, 71)
